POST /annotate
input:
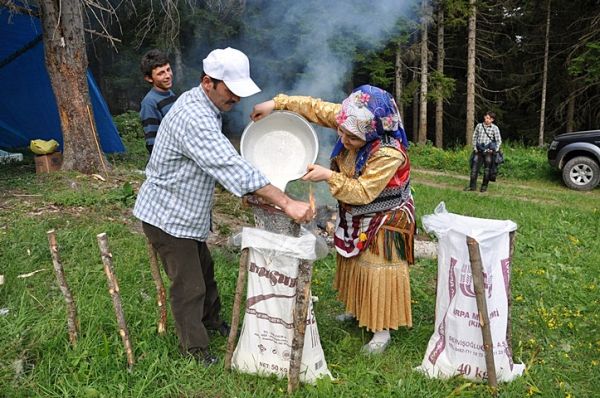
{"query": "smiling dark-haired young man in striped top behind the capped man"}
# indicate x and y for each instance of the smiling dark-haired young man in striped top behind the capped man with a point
(156, 69)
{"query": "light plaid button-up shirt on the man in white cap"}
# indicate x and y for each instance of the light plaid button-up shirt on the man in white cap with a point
(190, 154)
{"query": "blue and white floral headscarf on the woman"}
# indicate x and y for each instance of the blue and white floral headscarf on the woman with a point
(369, 113)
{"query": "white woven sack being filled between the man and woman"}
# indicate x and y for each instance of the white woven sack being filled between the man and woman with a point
(265, 343)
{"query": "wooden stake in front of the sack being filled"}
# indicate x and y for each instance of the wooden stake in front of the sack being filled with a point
(300, 313)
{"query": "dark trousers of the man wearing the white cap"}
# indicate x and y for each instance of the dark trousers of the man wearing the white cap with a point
(194, 296)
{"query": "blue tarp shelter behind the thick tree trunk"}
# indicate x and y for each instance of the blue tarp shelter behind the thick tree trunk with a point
(27, 105)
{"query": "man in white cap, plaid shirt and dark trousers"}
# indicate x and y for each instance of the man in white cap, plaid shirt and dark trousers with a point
(175, 202)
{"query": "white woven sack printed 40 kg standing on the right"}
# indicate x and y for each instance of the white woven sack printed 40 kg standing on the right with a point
(456, 346)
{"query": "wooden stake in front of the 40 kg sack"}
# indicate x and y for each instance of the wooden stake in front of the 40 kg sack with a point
(484, 321)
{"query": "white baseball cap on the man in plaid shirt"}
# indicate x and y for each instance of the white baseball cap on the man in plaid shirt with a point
(233, 68)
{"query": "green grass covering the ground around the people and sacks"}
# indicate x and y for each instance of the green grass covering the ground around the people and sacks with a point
(555, 290)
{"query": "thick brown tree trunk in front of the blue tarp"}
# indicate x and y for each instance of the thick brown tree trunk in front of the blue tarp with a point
(66, 62)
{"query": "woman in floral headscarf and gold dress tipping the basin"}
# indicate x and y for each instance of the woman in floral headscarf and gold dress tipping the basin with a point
(370, 178)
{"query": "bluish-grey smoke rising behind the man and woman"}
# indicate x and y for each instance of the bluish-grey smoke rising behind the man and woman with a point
(307, 47)
